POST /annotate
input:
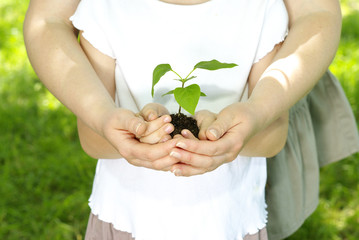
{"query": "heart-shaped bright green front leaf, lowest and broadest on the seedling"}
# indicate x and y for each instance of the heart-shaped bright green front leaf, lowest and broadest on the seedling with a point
(188, 97)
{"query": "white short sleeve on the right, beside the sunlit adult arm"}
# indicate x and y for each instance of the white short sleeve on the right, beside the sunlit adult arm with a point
(274, 28)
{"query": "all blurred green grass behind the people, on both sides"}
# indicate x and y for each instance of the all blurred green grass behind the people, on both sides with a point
(46, 179)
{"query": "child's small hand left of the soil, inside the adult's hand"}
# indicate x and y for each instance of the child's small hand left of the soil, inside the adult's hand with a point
(159, 126)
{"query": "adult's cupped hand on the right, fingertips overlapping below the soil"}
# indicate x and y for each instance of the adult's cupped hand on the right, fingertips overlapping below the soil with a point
(224, 139)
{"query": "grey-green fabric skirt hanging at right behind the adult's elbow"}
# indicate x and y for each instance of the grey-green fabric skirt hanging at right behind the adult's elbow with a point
(322, 130)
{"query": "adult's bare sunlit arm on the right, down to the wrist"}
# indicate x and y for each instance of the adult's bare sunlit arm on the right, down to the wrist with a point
(308, 50)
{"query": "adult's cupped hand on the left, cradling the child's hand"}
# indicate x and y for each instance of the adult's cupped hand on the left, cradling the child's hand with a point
(122, 128)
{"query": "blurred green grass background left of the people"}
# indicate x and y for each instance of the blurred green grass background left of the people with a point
(45, 178)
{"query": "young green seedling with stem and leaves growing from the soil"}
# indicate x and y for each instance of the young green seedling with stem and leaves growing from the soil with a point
(187, 97)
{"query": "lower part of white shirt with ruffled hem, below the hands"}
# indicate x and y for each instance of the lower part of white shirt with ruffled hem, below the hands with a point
(146, 213)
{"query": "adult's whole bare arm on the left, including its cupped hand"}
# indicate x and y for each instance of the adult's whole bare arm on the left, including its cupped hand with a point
(61, 64)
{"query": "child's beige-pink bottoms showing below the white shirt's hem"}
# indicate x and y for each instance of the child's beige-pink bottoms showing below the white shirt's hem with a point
(99, 230)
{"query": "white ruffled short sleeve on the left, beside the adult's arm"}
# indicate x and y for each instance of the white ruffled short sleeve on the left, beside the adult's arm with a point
(92, 22)
